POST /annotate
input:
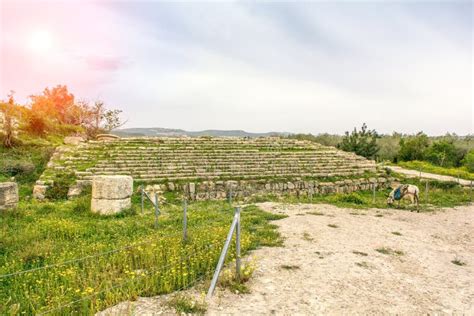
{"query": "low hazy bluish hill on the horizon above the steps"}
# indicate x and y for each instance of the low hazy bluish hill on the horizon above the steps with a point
(159, 131)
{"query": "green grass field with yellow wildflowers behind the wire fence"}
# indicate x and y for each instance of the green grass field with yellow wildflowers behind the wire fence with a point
(40, 234)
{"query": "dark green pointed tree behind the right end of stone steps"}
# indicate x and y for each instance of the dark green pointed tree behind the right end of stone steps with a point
(363, 142)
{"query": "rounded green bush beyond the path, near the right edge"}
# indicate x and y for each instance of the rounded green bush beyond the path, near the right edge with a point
(445, 154)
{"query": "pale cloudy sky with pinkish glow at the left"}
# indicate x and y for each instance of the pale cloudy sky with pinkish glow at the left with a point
(268, 66)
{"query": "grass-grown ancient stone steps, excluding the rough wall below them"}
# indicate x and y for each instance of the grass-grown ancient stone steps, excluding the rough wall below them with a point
(165, 159)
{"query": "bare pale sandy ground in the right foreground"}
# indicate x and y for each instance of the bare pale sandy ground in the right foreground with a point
(337, 270)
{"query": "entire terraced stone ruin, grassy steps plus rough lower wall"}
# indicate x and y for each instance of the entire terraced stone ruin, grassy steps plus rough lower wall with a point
(207, 167)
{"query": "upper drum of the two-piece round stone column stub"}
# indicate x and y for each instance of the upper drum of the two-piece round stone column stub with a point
(112, 187)
